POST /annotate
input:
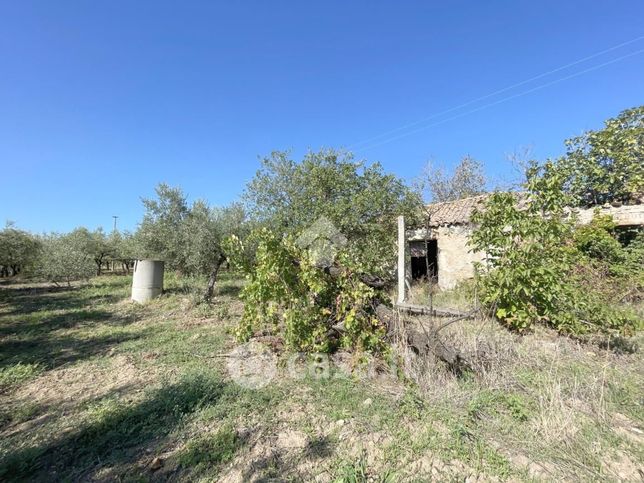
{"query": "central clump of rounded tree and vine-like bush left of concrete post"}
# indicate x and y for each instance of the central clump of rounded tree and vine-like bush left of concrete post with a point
(324, 253)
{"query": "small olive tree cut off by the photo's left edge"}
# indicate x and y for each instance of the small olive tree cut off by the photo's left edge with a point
(18, 250)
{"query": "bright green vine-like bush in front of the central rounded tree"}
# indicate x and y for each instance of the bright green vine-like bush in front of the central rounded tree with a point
(314, 308)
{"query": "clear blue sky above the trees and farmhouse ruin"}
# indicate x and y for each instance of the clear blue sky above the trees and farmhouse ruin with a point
(100, 101)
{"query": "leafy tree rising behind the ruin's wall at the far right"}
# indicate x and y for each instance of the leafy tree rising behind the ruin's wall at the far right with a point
(607, 165)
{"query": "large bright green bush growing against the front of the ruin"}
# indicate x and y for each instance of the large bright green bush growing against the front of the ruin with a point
(539, 262)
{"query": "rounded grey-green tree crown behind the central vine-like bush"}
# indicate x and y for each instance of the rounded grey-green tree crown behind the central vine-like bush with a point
(360, 200)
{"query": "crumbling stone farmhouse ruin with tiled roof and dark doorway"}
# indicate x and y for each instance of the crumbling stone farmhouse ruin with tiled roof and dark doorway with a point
(441, 249)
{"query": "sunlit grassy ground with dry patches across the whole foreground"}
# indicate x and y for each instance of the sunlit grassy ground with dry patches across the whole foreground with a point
(94, 387)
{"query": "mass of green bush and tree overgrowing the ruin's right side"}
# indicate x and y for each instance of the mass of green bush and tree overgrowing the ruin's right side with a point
(541, 266)
